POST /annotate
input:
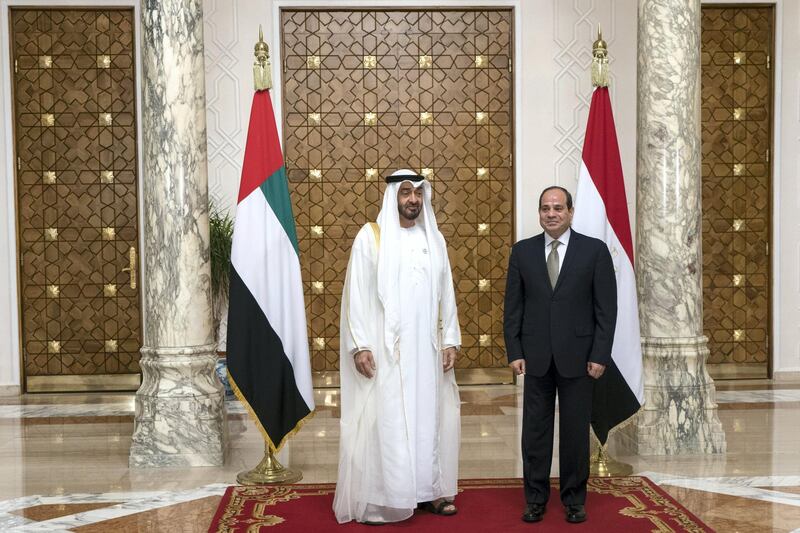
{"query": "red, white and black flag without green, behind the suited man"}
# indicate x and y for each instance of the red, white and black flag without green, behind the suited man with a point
(601, 211)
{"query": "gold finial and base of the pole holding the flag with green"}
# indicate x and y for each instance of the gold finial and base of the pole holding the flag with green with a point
(269, 470)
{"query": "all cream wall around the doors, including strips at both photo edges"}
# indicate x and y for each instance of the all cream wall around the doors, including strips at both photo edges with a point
(552, 109)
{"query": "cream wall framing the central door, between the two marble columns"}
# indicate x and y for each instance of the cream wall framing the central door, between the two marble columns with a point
(553, 55)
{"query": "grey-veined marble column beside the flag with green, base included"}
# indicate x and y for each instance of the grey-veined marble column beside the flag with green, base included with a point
(180, 413)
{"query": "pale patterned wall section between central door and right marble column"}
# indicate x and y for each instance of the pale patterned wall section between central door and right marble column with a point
(556, 90)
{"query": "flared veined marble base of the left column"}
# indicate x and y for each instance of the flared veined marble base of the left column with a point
(180, 409)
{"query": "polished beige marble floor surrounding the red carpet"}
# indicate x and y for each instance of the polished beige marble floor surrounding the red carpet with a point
(63, 461)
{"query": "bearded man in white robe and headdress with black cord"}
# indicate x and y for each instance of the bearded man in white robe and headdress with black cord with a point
(400, 425)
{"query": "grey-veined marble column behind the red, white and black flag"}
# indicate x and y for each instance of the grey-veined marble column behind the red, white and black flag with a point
(680, 414)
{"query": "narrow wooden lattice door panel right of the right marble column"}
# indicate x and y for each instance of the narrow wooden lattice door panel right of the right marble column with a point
(737, 91)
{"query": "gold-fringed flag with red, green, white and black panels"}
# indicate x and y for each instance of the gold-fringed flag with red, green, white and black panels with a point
(268, 361)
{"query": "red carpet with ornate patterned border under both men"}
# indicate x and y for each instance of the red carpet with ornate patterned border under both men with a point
(625, 504)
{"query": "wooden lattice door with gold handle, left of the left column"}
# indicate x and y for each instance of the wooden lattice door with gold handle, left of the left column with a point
(75, 134)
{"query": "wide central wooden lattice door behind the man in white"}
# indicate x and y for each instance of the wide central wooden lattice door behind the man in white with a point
(367, 92)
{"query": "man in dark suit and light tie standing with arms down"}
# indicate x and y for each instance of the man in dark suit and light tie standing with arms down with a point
(560, 314)
